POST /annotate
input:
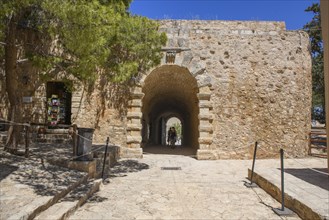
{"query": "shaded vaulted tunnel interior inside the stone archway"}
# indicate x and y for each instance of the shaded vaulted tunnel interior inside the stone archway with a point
(170, 91)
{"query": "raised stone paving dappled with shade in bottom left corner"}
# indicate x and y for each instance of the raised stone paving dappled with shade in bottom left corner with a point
(27, 183)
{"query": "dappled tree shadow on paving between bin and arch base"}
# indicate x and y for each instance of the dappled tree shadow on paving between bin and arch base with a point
(127, 166)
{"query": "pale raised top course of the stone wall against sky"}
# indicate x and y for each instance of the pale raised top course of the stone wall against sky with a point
(224, 24)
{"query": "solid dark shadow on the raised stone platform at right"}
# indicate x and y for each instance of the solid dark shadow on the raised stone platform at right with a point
(311, 176)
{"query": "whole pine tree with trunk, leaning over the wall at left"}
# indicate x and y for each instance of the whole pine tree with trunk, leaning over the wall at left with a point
(79, 39)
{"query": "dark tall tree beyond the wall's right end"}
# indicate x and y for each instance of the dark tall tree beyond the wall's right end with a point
(313, 28)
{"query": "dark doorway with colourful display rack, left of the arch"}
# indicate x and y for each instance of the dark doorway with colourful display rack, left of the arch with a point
(59, 99)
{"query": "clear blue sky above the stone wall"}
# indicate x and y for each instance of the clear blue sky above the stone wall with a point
(290, 11)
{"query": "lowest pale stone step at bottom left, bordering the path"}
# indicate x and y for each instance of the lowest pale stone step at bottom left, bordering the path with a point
(71, 202)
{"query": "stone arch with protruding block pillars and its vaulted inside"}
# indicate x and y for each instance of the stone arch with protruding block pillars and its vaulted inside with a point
(170, 90)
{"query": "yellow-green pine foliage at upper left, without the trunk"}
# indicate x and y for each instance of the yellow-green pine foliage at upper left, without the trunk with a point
(79, 38)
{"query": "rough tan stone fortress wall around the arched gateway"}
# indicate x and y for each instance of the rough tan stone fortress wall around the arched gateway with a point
(252, 83)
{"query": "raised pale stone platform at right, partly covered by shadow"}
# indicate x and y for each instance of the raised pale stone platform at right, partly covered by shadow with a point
(302, 181)
